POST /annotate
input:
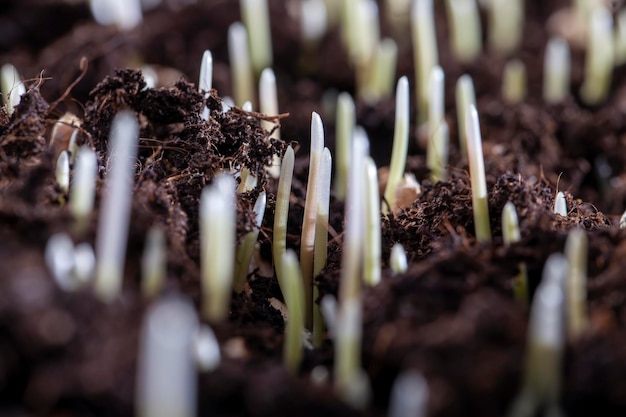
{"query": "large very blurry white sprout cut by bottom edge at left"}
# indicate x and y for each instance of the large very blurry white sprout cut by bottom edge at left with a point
(166, 374)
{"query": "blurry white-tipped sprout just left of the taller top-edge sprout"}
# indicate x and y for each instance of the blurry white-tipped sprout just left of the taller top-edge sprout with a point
(241, 69)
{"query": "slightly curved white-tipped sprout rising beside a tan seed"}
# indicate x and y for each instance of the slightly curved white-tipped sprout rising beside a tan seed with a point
(400, 145)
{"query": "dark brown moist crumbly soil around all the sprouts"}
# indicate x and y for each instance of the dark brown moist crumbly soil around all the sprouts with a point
(452, 315)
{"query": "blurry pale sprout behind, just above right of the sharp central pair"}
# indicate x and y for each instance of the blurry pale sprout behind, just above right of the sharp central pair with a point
(345, 121)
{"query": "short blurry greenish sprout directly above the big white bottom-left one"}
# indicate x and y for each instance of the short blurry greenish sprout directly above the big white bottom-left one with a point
(153, 263)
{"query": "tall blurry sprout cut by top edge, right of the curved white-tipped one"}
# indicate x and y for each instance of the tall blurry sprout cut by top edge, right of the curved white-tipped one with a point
(425, 56)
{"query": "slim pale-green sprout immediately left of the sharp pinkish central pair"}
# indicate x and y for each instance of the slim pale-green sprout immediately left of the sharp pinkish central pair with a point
(281, 213)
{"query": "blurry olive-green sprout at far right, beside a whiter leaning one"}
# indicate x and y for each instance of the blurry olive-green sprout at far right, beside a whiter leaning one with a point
(576, 288)
